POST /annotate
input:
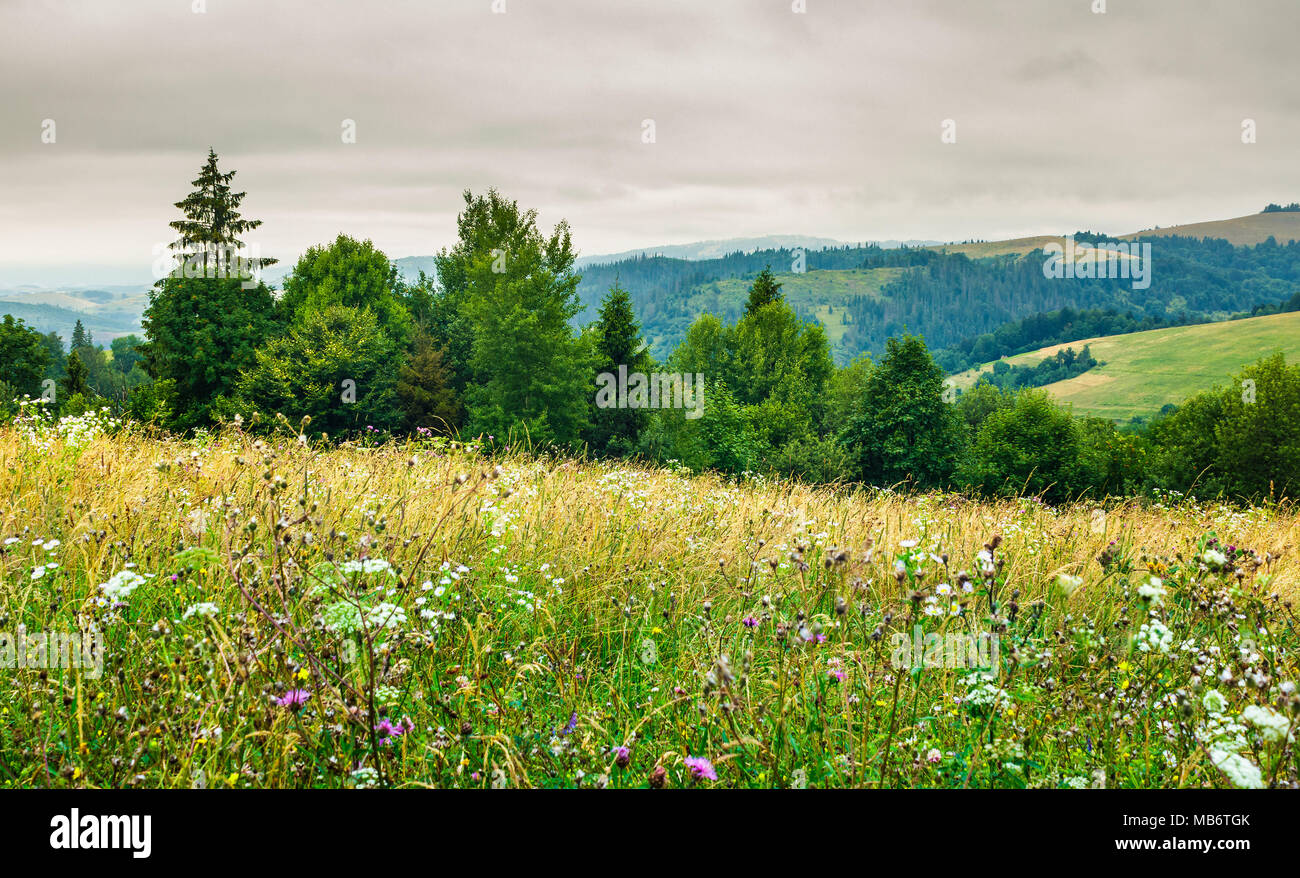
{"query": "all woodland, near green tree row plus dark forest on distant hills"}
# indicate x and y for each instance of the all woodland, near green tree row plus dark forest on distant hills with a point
(487, 348)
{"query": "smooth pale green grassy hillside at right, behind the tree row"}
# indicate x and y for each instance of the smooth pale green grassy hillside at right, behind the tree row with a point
(1145, 371)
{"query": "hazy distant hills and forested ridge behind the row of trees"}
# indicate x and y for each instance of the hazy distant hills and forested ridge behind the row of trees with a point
(860, 293)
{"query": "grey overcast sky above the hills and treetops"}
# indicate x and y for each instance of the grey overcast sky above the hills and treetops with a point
(826, 123)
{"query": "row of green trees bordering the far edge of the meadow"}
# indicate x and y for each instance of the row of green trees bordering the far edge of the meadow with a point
(487, 348)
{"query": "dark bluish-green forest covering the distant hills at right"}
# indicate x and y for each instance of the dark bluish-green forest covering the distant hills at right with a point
(952, 301)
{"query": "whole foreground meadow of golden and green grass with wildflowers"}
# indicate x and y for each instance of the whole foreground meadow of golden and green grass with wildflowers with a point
(281, 615)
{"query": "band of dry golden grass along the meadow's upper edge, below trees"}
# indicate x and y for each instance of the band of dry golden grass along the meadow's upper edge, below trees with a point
(580, 516)
